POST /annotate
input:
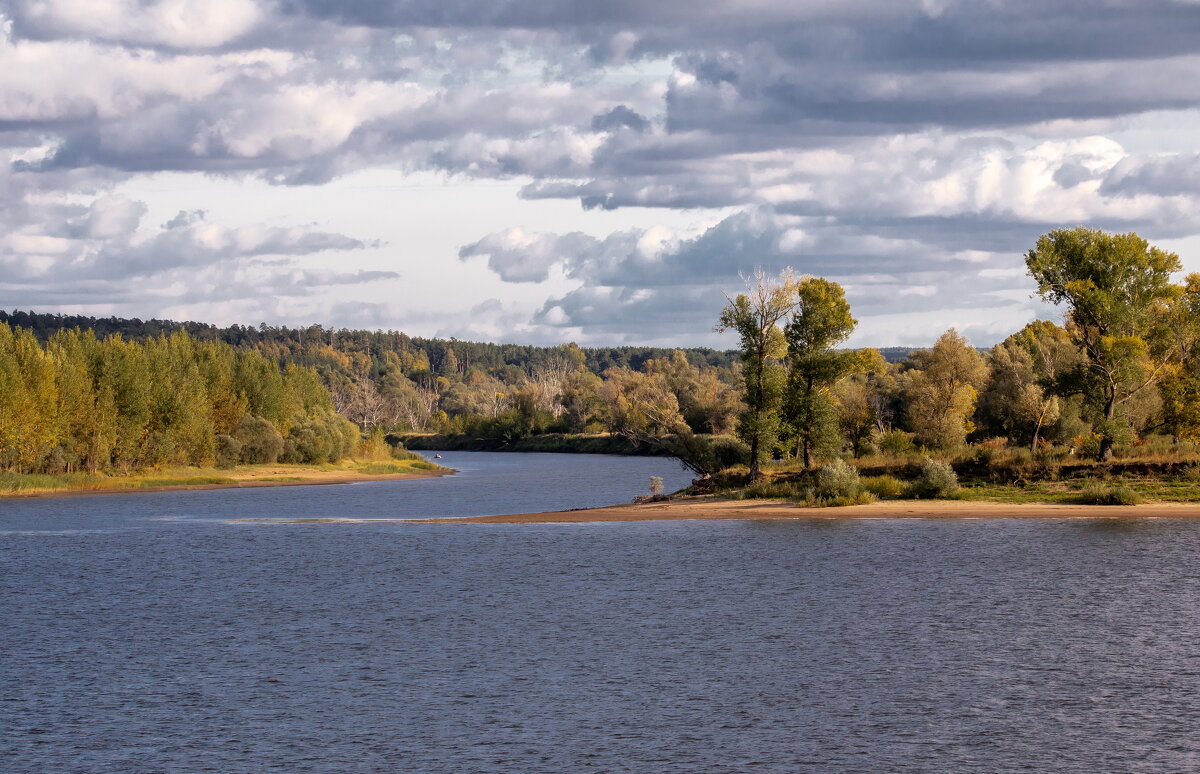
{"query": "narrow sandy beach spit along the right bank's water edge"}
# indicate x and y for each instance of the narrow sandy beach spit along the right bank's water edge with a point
(715, 509)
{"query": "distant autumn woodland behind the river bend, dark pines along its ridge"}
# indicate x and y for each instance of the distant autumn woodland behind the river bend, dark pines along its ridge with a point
(397, 383)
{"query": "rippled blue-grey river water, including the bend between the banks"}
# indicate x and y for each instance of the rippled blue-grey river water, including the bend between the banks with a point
(189, 632)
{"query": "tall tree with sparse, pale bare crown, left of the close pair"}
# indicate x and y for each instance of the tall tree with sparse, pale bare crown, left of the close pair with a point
(757, 316)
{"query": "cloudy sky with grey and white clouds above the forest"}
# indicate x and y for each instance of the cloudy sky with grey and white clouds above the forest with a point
(591, 171)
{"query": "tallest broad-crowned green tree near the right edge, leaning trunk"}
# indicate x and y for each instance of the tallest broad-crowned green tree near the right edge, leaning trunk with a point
(1123, 311)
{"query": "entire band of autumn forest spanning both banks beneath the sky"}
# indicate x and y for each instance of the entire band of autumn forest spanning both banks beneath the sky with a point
(1123, 371)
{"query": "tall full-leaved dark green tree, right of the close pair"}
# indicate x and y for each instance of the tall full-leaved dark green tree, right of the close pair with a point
(820, 322)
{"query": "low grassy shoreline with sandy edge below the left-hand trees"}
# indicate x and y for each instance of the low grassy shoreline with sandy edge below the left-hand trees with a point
(268, 478)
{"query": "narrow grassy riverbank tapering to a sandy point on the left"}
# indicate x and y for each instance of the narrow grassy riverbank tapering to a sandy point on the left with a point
(249, 476)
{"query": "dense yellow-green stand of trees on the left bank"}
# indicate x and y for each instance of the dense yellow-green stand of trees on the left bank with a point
(80, 403)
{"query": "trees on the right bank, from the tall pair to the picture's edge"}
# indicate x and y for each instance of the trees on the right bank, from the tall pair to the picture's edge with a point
(1124, 367)
